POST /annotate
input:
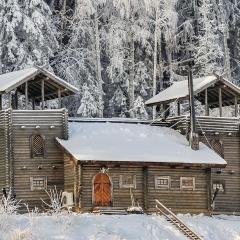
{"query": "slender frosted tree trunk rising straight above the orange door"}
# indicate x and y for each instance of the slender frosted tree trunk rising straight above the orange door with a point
(98, 67)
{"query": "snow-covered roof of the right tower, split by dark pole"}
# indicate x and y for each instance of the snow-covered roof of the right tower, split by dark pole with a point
(179, 90)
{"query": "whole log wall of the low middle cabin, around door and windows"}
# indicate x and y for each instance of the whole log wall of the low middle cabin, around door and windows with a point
(145, 192)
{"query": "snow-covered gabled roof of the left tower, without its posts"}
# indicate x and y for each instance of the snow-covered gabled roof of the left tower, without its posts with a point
(12, 80)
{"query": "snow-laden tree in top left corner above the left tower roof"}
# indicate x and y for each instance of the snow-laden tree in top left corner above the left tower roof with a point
(27, 36)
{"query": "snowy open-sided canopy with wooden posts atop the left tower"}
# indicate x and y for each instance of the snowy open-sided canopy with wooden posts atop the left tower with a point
(37, 84)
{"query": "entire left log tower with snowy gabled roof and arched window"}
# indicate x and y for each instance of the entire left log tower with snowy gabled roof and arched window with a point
(26, 164)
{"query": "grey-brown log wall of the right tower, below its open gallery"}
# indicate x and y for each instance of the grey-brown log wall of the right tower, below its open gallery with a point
(226, 131)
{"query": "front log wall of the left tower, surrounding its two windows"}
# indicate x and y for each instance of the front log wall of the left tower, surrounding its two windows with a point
(50, 124)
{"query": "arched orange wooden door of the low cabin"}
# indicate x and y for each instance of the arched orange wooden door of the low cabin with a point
(102, 190)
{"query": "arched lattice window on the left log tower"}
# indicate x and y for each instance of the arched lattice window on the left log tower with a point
(37, 146)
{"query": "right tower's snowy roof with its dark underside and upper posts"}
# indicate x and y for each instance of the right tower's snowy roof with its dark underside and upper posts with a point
(179, 91)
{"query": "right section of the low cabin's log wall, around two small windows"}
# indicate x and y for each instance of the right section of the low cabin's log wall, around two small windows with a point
(179, 200)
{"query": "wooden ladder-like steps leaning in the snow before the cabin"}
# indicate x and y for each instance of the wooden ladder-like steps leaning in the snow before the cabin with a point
(173, 219)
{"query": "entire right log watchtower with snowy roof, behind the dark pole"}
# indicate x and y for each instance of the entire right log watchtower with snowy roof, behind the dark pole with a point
(219, 133)
